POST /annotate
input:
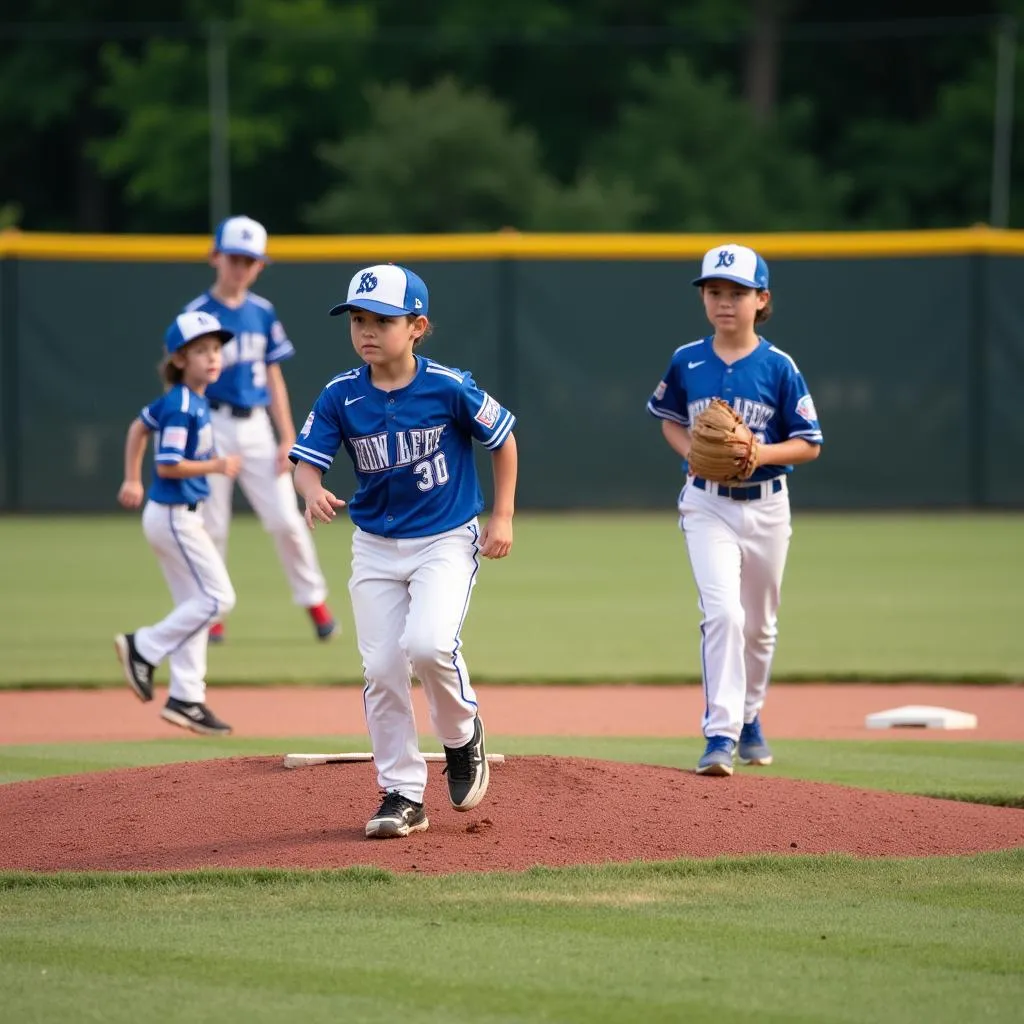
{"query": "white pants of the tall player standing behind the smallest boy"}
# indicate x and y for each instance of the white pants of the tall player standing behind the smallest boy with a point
(272, 497)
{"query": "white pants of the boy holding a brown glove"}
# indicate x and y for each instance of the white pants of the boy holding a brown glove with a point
(738, 552)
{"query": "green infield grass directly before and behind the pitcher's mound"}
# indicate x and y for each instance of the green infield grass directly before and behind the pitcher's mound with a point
(830, 940)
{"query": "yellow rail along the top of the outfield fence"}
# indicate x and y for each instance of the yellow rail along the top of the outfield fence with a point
(514, 245)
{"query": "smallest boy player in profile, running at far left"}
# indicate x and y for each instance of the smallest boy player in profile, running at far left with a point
(173, 522)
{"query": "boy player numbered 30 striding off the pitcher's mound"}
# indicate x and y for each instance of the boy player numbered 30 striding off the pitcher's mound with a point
(409, 424)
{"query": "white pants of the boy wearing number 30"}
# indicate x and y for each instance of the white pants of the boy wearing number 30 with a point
(410, 599)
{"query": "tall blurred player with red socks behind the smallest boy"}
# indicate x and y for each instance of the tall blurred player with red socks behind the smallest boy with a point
(250, 394)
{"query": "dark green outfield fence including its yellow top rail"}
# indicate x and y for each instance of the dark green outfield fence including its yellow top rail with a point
(913, 345)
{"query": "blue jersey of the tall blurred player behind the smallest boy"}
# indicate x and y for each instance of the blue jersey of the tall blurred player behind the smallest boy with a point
(260, 340)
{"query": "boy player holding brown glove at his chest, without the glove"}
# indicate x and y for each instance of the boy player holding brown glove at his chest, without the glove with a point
(738, 536)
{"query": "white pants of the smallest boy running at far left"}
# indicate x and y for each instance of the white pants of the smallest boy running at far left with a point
(202, 592)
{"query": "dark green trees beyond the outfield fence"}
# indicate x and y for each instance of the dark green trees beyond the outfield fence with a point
(367, 116)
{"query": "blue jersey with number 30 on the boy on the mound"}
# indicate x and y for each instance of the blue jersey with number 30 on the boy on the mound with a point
(412, 449)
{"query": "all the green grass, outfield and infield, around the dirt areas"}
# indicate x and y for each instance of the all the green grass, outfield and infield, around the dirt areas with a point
(763, 940)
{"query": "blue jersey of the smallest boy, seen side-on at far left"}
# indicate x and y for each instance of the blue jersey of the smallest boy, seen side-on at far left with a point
(181, 420)
